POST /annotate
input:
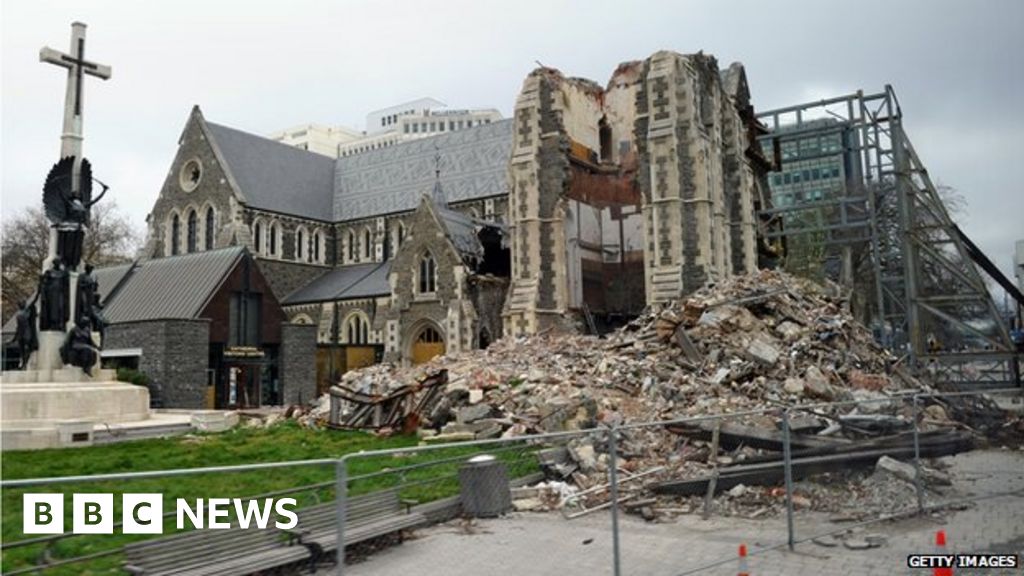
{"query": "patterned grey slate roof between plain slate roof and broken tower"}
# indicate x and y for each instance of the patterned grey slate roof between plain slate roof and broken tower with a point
(475, 164)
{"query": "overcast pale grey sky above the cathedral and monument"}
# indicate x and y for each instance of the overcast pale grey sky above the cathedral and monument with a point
(262, 66)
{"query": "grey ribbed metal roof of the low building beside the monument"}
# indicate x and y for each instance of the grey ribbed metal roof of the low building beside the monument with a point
(172, 289)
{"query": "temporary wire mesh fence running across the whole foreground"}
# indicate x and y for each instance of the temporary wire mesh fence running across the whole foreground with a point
(851, 485)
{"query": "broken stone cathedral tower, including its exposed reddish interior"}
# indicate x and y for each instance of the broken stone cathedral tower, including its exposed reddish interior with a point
(633, 194)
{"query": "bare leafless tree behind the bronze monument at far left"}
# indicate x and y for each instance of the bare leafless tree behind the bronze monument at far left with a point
(110, 240)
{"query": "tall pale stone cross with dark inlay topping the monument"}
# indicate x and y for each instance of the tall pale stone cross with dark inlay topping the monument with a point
(71, 139)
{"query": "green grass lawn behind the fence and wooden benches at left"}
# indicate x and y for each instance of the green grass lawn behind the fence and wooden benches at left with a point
(284, 442)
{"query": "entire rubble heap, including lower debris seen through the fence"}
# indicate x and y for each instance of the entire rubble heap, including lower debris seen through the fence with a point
(747, 347)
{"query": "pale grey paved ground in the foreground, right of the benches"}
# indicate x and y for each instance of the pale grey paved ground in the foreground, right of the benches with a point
(547, 545)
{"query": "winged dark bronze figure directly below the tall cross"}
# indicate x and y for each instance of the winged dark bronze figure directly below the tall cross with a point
(69, 211)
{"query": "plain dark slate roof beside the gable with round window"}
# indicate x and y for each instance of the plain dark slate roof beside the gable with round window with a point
(276, 177)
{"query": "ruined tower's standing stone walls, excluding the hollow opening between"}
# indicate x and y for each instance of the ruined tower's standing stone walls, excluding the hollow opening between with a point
(673, 122)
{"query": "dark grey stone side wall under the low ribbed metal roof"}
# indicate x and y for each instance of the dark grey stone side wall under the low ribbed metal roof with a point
(176, 357)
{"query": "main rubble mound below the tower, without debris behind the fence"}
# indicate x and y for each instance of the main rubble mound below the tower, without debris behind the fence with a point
(749, 343)
